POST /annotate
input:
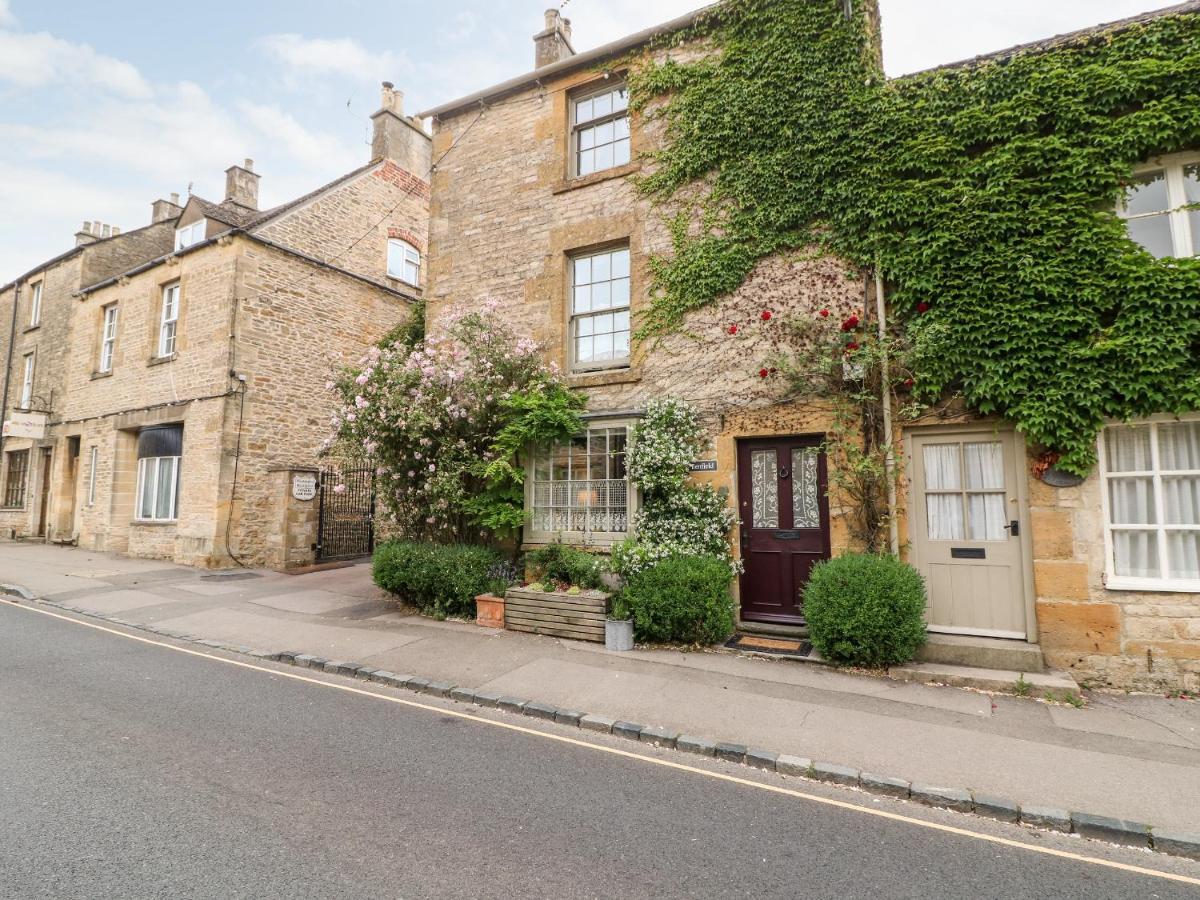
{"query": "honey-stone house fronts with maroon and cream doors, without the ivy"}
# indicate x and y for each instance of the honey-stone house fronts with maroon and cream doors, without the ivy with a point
(533, 207)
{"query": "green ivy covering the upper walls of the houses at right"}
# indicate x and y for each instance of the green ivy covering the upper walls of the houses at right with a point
(986, 194)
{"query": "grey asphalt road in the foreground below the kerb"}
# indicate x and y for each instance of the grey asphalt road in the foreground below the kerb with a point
(134, 770)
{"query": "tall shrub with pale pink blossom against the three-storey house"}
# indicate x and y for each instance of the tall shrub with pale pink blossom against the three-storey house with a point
(446, 419)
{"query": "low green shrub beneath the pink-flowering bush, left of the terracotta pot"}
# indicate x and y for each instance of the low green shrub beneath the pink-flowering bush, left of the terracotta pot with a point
(439, 579)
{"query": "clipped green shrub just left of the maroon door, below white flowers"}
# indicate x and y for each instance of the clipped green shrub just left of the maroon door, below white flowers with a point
(681, 599)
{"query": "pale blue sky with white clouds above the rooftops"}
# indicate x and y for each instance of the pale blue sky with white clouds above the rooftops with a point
(106, 107)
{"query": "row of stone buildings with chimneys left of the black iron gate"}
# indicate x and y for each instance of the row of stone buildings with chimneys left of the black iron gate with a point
(181, 381)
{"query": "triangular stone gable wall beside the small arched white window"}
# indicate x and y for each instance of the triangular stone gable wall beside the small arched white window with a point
(349, 226)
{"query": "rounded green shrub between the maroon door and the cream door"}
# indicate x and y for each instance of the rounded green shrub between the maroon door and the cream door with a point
(866, 610)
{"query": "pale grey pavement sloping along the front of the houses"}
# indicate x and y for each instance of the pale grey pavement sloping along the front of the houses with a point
(1131, 758)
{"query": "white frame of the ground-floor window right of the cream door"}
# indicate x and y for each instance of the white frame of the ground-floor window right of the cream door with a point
(1125, 583)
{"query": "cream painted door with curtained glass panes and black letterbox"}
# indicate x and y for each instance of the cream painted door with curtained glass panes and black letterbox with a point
(967, 521)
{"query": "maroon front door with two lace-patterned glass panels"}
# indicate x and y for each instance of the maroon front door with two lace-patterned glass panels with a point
(785, 524)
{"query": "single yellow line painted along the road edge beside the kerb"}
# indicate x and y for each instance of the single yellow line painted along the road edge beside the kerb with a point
(640, 758)
